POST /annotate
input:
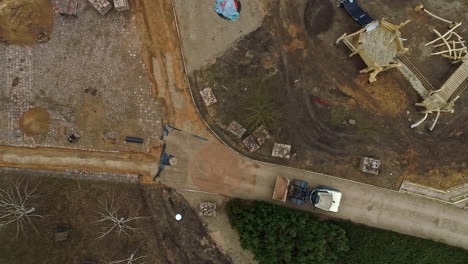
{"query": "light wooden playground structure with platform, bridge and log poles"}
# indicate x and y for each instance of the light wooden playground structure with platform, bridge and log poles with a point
(380, 46)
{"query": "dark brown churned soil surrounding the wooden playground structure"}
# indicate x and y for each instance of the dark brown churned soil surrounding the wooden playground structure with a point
(308, 66)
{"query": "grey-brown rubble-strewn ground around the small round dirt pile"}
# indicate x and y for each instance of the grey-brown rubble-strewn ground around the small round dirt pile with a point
(88, 78)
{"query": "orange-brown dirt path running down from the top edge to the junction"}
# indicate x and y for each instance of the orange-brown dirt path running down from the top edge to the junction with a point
(165, 64)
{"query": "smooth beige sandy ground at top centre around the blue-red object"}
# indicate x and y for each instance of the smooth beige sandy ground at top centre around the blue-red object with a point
(205, 36)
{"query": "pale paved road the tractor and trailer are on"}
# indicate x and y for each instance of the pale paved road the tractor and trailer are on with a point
(211, 167)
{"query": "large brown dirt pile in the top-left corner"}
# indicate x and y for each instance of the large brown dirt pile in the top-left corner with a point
(25, 21)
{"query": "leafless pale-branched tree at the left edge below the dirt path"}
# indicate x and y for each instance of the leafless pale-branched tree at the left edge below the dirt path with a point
(16, 205)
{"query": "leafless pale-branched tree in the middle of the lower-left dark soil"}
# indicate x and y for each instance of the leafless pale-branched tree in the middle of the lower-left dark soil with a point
(110, 214)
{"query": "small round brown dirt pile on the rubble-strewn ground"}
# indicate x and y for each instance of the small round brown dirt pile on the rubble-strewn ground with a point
(35, 121)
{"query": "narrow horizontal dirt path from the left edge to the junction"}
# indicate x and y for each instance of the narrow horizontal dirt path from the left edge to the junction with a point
(58, 159)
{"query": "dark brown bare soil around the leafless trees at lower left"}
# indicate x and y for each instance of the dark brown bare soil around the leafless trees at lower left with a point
(74, 204)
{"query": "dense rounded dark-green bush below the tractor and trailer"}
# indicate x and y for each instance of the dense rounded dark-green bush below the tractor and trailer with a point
(281, 235)
